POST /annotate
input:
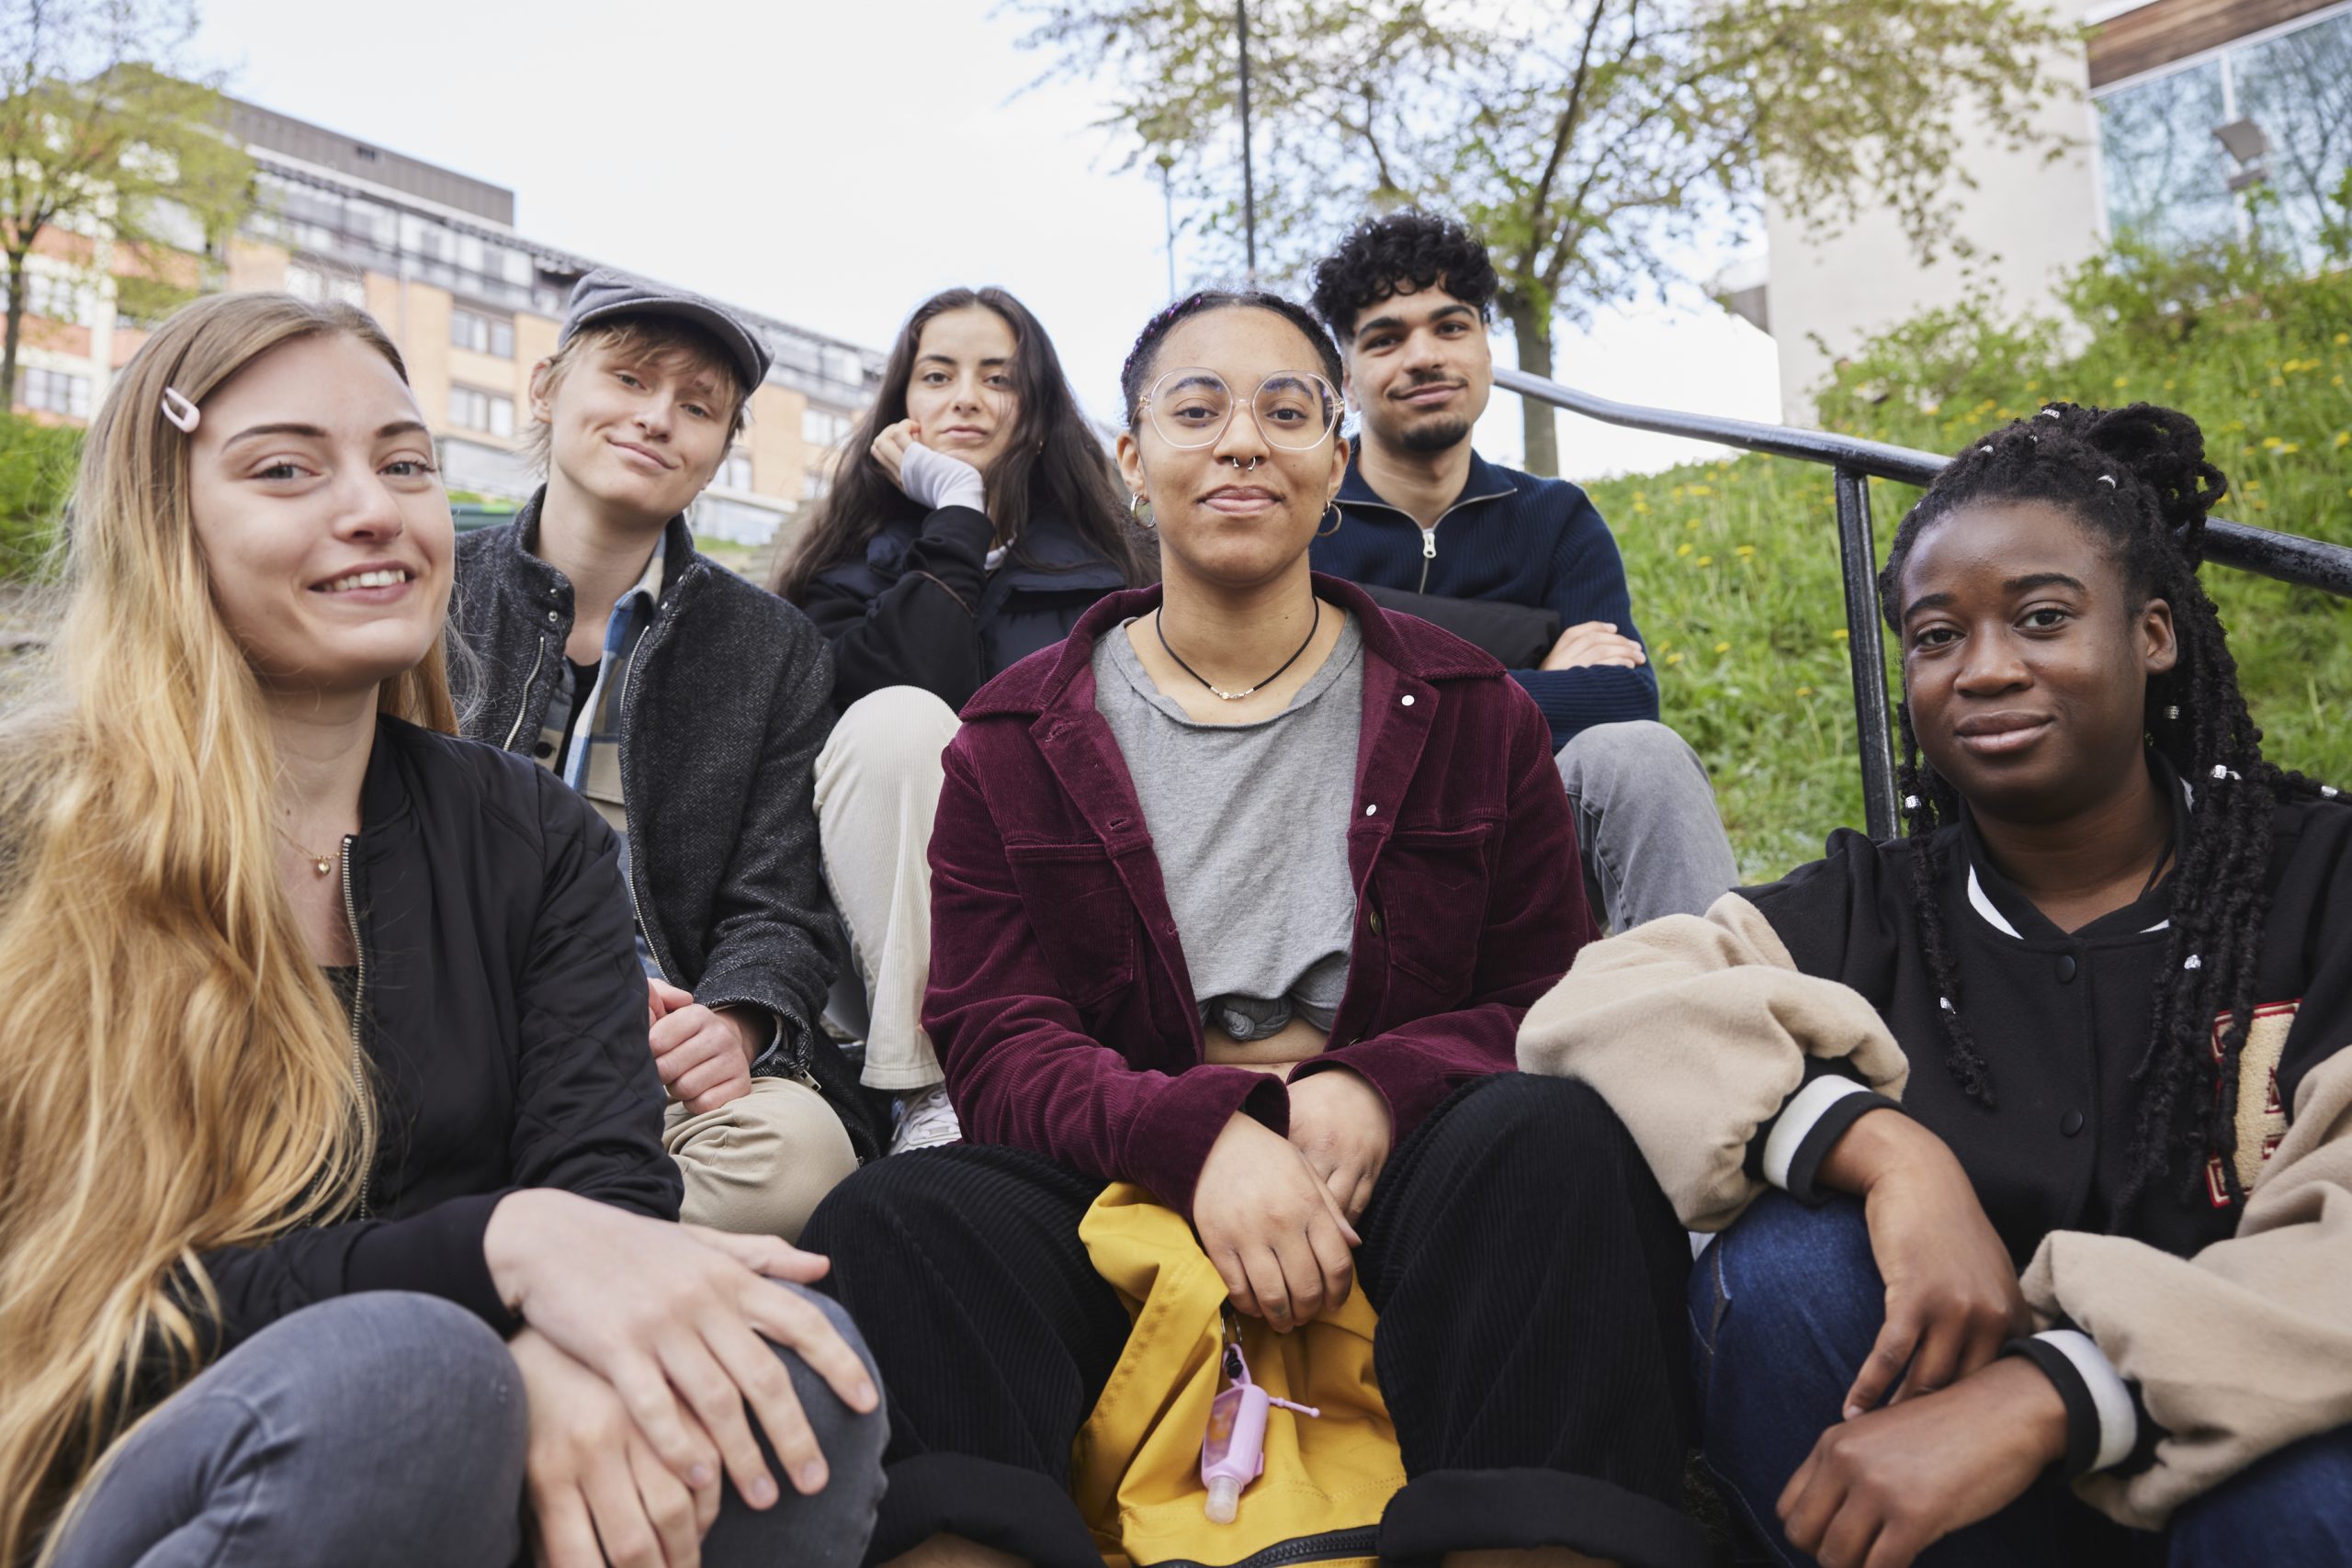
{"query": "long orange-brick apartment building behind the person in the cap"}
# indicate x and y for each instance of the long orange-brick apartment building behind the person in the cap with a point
(434, 255)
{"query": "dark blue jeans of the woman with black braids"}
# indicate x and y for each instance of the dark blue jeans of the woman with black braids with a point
(1786, 1306)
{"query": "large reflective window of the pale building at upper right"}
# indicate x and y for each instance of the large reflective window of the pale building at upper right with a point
(2170, 177)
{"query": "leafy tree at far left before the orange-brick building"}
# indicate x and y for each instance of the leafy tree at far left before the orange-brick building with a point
(105, 133)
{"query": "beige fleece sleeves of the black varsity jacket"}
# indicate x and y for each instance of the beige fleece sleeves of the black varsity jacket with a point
(1697, 1033)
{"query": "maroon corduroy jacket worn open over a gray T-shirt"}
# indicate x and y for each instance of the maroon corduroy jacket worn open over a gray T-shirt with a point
(1060, 998)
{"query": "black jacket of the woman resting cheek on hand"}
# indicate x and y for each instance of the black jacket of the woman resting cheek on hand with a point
(923, 610)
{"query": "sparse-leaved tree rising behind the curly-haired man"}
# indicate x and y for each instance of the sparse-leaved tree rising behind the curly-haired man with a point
(1601, 145)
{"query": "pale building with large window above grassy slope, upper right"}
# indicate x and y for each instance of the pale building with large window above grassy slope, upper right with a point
(2196, 121)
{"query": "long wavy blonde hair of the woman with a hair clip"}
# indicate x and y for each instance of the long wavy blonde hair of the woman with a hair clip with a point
(178, 1068)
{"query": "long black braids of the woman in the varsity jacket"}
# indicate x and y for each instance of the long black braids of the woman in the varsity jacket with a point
(2139, 481)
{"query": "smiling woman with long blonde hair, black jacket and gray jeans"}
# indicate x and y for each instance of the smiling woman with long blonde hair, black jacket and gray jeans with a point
(335, 1217)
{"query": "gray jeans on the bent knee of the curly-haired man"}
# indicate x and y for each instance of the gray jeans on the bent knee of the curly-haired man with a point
(1645, 822)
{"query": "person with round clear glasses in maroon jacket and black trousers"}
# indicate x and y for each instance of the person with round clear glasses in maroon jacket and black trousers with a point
(1241, 894)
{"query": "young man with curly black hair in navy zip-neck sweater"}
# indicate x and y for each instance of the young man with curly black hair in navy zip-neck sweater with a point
(1457, 540)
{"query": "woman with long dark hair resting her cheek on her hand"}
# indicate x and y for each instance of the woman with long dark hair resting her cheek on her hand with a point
(973, 521)
